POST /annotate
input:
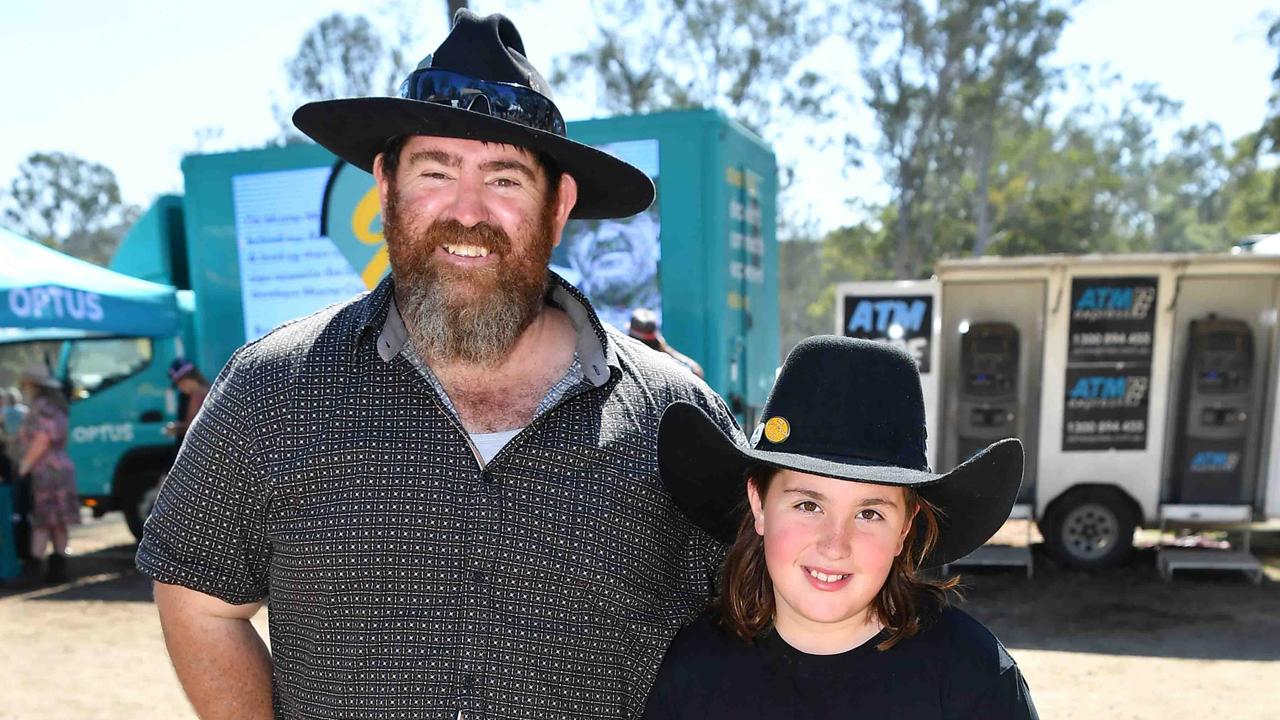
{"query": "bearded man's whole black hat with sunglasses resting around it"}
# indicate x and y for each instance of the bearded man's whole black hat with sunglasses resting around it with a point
(479, 85)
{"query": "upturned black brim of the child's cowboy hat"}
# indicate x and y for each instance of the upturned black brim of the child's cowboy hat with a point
(705, 471)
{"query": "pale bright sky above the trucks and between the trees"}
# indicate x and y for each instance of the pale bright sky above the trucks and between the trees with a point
(132, 84)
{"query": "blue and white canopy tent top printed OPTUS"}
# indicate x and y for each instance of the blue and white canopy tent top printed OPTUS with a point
(48, 295)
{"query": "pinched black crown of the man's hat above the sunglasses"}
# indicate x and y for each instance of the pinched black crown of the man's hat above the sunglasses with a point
(488, 49)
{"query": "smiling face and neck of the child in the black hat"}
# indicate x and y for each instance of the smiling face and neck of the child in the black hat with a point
(829, 546)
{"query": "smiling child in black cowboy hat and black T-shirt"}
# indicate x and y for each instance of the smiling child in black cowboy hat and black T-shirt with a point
(822, 613)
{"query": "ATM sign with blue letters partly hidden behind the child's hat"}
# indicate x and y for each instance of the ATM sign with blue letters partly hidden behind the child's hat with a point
(902, 321)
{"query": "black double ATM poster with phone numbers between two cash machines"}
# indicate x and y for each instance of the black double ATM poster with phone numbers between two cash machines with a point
(1109, 363)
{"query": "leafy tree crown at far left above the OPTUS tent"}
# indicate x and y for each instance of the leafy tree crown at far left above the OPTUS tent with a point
(70, 204)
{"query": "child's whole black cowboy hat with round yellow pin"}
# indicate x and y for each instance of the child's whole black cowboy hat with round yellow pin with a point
(847, 409)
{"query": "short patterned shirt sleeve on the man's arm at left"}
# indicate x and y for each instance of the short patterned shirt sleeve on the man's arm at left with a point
(208, 531)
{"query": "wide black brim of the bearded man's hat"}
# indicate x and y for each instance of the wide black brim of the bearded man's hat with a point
(356, 130)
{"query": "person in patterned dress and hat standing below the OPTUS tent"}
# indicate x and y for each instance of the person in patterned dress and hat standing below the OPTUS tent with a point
(48, 472)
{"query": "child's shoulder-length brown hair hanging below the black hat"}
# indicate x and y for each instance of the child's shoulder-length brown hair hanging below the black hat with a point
(903, 604)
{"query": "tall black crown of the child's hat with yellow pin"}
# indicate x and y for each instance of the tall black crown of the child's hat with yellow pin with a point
(849, 398)
